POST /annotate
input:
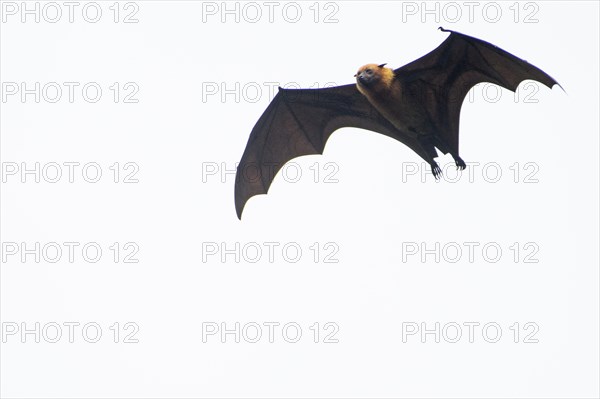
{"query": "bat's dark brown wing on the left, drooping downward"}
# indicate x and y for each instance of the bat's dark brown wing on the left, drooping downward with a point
(299, 122)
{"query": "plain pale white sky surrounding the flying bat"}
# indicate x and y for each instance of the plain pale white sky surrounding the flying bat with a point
(369, 215)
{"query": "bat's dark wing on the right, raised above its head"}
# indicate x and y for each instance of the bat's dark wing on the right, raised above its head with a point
(442, 79)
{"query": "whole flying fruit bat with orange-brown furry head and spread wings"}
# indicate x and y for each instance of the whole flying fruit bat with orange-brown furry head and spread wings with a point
(417, 104)
